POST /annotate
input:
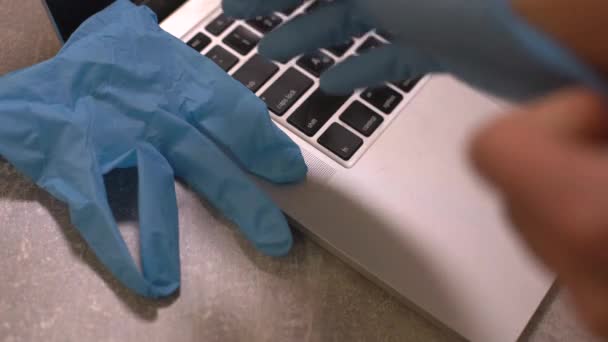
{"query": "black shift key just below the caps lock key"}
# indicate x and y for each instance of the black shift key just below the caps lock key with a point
(315, 112)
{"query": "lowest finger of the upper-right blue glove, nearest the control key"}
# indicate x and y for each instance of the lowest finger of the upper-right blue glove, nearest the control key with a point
(388, 63)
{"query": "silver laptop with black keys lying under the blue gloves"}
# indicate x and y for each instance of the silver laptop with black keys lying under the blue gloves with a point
(390, 188)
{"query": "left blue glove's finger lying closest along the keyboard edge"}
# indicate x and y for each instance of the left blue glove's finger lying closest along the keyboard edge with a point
(240, 123)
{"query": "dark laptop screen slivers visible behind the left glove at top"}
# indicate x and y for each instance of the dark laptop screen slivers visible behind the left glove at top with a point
(69, 14)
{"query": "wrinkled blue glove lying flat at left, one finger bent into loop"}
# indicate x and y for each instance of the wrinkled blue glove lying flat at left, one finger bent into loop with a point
(123, 93)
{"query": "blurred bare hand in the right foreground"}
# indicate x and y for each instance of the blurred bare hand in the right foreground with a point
(549, 161)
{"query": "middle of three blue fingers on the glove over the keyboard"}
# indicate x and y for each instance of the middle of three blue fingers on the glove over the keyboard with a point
(327, 26)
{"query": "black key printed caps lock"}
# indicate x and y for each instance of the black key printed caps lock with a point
(288, 89)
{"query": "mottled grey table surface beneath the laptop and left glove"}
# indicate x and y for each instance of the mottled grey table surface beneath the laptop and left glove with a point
(53, 289)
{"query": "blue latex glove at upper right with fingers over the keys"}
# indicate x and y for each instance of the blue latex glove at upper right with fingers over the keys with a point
(481, 41)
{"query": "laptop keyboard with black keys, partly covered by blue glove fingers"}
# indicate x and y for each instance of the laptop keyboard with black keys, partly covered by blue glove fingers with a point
(342, 127)
